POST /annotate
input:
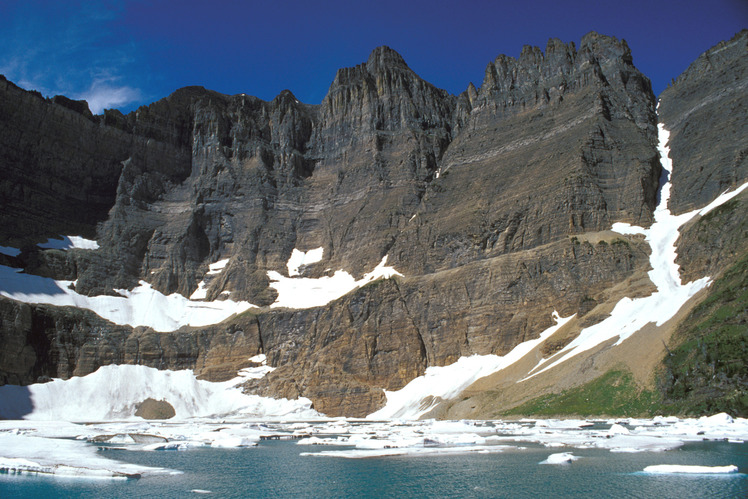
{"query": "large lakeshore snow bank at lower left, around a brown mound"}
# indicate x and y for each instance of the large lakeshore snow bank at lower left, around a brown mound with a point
(114, 392)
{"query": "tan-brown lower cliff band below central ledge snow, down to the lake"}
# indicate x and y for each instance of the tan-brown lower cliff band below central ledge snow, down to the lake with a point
(388, 332)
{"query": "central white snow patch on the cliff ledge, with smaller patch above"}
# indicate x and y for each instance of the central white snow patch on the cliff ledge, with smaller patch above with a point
(305, 292)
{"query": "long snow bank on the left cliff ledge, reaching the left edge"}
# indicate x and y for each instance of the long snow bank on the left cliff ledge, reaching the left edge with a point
(142, 306)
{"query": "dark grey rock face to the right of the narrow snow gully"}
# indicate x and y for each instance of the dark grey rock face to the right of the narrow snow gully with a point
(706, 111)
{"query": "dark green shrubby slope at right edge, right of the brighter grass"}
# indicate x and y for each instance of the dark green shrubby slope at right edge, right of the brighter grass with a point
(707, 369)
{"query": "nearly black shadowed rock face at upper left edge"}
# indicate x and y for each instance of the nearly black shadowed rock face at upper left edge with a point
(54, 156)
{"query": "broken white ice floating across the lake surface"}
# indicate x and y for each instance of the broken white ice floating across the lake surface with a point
(53, 443)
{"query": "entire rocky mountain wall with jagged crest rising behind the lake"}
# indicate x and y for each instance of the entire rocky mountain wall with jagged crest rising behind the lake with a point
(495, 205)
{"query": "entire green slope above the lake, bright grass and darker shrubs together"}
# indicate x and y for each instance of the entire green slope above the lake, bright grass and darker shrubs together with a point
(705, 371)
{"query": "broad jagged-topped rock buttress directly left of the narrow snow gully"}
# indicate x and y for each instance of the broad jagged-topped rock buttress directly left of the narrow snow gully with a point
(540, 156)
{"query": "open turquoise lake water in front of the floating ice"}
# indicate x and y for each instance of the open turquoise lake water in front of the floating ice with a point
(275, 469)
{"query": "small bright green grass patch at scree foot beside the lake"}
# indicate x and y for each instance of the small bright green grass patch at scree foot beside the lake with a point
(615, 393)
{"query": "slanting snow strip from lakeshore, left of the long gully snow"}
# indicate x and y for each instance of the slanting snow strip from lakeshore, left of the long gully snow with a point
(420, 395)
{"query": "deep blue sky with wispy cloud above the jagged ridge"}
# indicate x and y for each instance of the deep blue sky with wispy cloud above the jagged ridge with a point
(125, 53)
